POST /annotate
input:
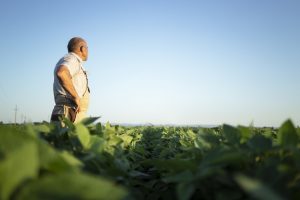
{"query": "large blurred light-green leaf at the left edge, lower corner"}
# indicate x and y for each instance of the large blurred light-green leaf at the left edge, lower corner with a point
(19, 164)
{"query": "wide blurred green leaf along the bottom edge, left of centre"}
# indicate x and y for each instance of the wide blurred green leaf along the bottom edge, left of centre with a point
(71, 186)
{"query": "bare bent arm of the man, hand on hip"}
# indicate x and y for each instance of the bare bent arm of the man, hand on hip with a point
(65, 79)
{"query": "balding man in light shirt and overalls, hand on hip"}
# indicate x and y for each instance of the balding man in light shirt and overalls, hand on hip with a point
(70, 87)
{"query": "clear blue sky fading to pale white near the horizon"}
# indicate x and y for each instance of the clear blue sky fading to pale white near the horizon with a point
(157, 61)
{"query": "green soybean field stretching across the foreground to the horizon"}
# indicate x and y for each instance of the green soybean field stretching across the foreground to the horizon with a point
(93, 161)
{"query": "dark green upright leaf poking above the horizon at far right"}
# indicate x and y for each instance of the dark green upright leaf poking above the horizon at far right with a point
(287, 135)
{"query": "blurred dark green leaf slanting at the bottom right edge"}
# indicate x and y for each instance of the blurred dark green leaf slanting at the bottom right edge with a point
(256, 188)
